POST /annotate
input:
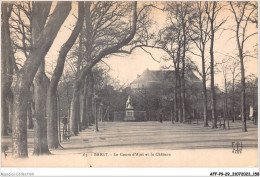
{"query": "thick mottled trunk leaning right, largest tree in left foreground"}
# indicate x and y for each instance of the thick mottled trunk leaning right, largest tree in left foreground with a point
(26, 74)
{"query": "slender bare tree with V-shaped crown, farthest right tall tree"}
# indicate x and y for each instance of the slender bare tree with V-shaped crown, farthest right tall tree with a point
(242, 12)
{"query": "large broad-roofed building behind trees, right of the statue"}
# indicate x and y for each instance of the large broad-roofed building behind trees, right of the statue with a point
(156, 87)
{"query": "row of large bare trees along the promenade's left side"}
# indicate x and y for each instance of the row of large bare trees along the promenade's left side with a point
(30, 29)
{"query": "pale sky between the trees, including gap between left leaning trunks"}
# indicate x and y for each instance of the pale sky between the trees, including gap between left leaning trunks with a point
(126, 68)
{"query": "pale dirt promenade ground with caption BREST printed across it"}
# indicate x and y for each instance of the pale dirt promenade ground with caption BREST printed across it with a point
(153, 144)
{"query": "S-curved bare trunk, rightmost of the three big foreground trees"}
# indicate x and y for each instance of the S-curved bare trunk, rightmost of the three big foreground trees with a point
(52, 127)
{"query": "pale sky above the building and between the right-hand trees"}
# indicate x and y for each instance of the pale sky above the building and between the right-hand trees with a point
(128, 67)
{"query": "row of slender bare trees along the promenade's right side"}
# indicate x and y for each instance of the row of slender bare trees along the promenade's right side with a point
(191, 30)
